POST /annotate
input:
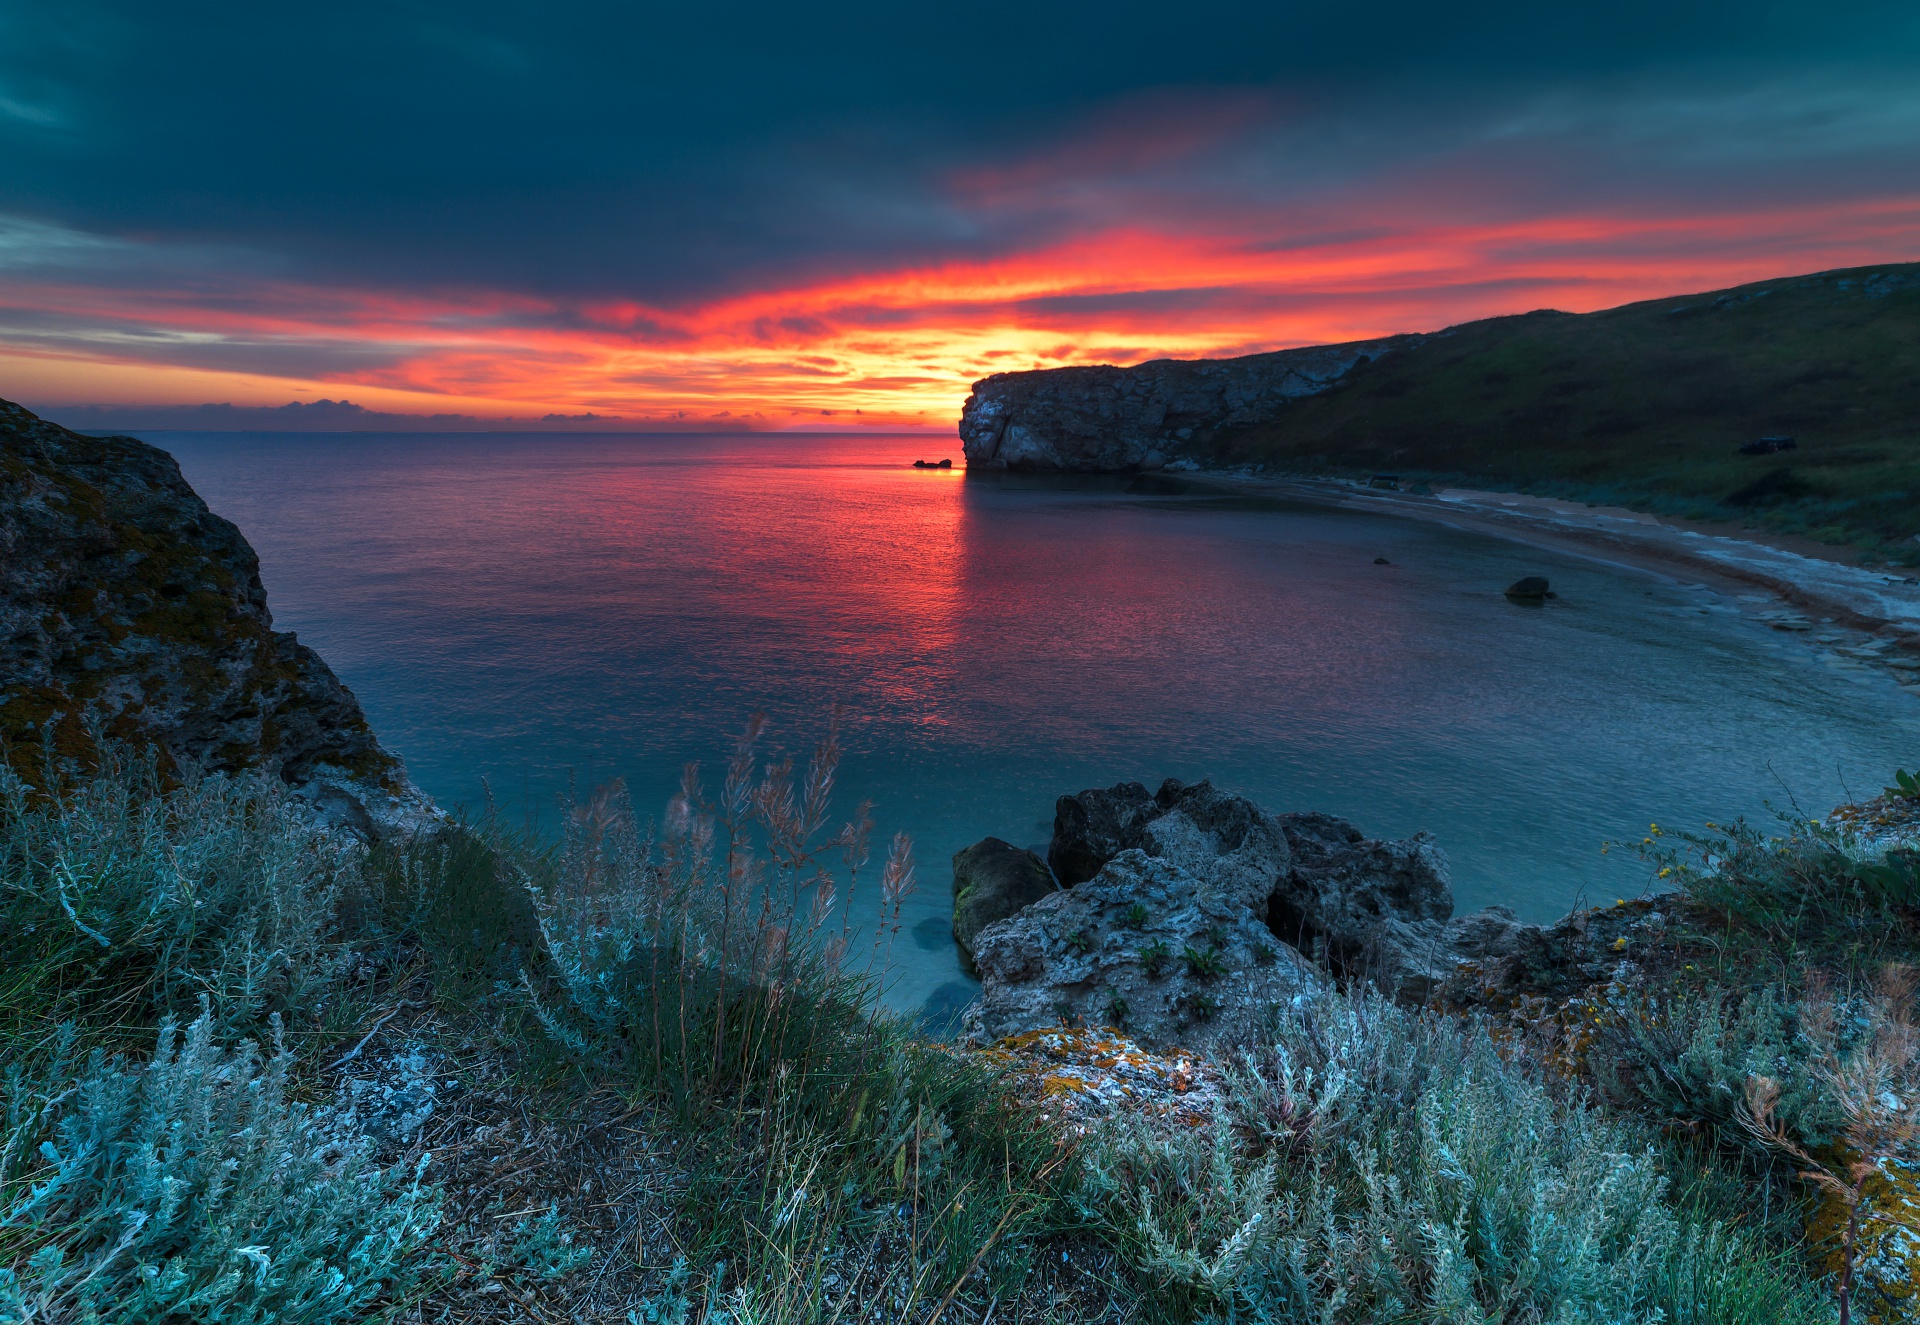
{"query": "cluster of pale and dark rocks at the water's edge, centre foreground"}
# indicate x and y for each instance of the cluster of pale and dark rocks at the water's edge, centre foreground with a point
(1195, 913)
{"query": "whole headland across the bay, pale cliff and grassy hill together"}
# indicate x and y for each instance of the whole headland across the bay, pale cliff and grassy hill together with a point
(1656, 406)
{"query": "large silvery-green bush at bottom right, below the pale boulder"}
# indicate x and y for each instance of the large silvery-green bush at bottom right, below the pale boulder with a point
(1374, 1165)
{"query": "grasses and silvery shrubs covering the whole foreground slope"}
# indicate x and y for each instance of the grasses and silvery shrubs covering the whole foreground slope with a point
(683, 1097)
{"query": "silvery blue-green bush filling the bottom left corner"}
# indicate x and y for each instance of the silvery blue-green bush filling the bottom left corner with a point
(195, 1190)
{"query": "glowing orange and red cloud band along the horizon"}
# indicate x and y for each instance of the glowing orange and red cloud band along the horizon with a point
(903, 347)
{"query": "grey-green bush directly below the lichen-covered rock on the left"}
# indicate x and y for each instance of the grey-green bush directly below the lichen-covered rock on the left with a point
(126, 902)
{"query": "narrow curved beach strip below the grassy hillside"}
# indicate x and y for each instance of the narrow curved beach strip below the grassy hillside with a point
(1831, 594)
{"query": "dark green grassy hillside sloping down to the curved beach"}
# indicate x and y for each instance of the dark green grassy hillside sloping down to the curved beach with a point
(1648, 406)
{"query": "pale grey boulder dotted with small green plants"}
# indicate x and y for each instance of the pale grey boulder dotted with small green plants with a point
(1145, 948)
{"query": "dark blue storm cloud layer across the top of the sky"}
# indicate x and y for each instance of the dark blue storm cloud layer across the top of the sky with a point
(681, 153)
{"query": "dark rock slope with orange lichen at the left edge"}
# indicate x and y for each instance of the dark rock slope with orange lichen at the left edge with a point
(130, 610)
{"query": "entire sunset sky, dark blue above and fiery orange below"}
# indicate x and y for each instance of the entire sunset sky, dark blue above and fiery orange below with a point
(775, 216)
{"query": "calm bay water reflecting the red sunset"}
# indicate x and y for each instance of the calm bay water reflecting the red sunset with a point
(523, 608)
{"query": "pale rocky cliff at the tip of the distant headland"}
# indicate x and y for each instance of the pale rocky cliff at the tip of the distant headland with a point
(1115, 422)
